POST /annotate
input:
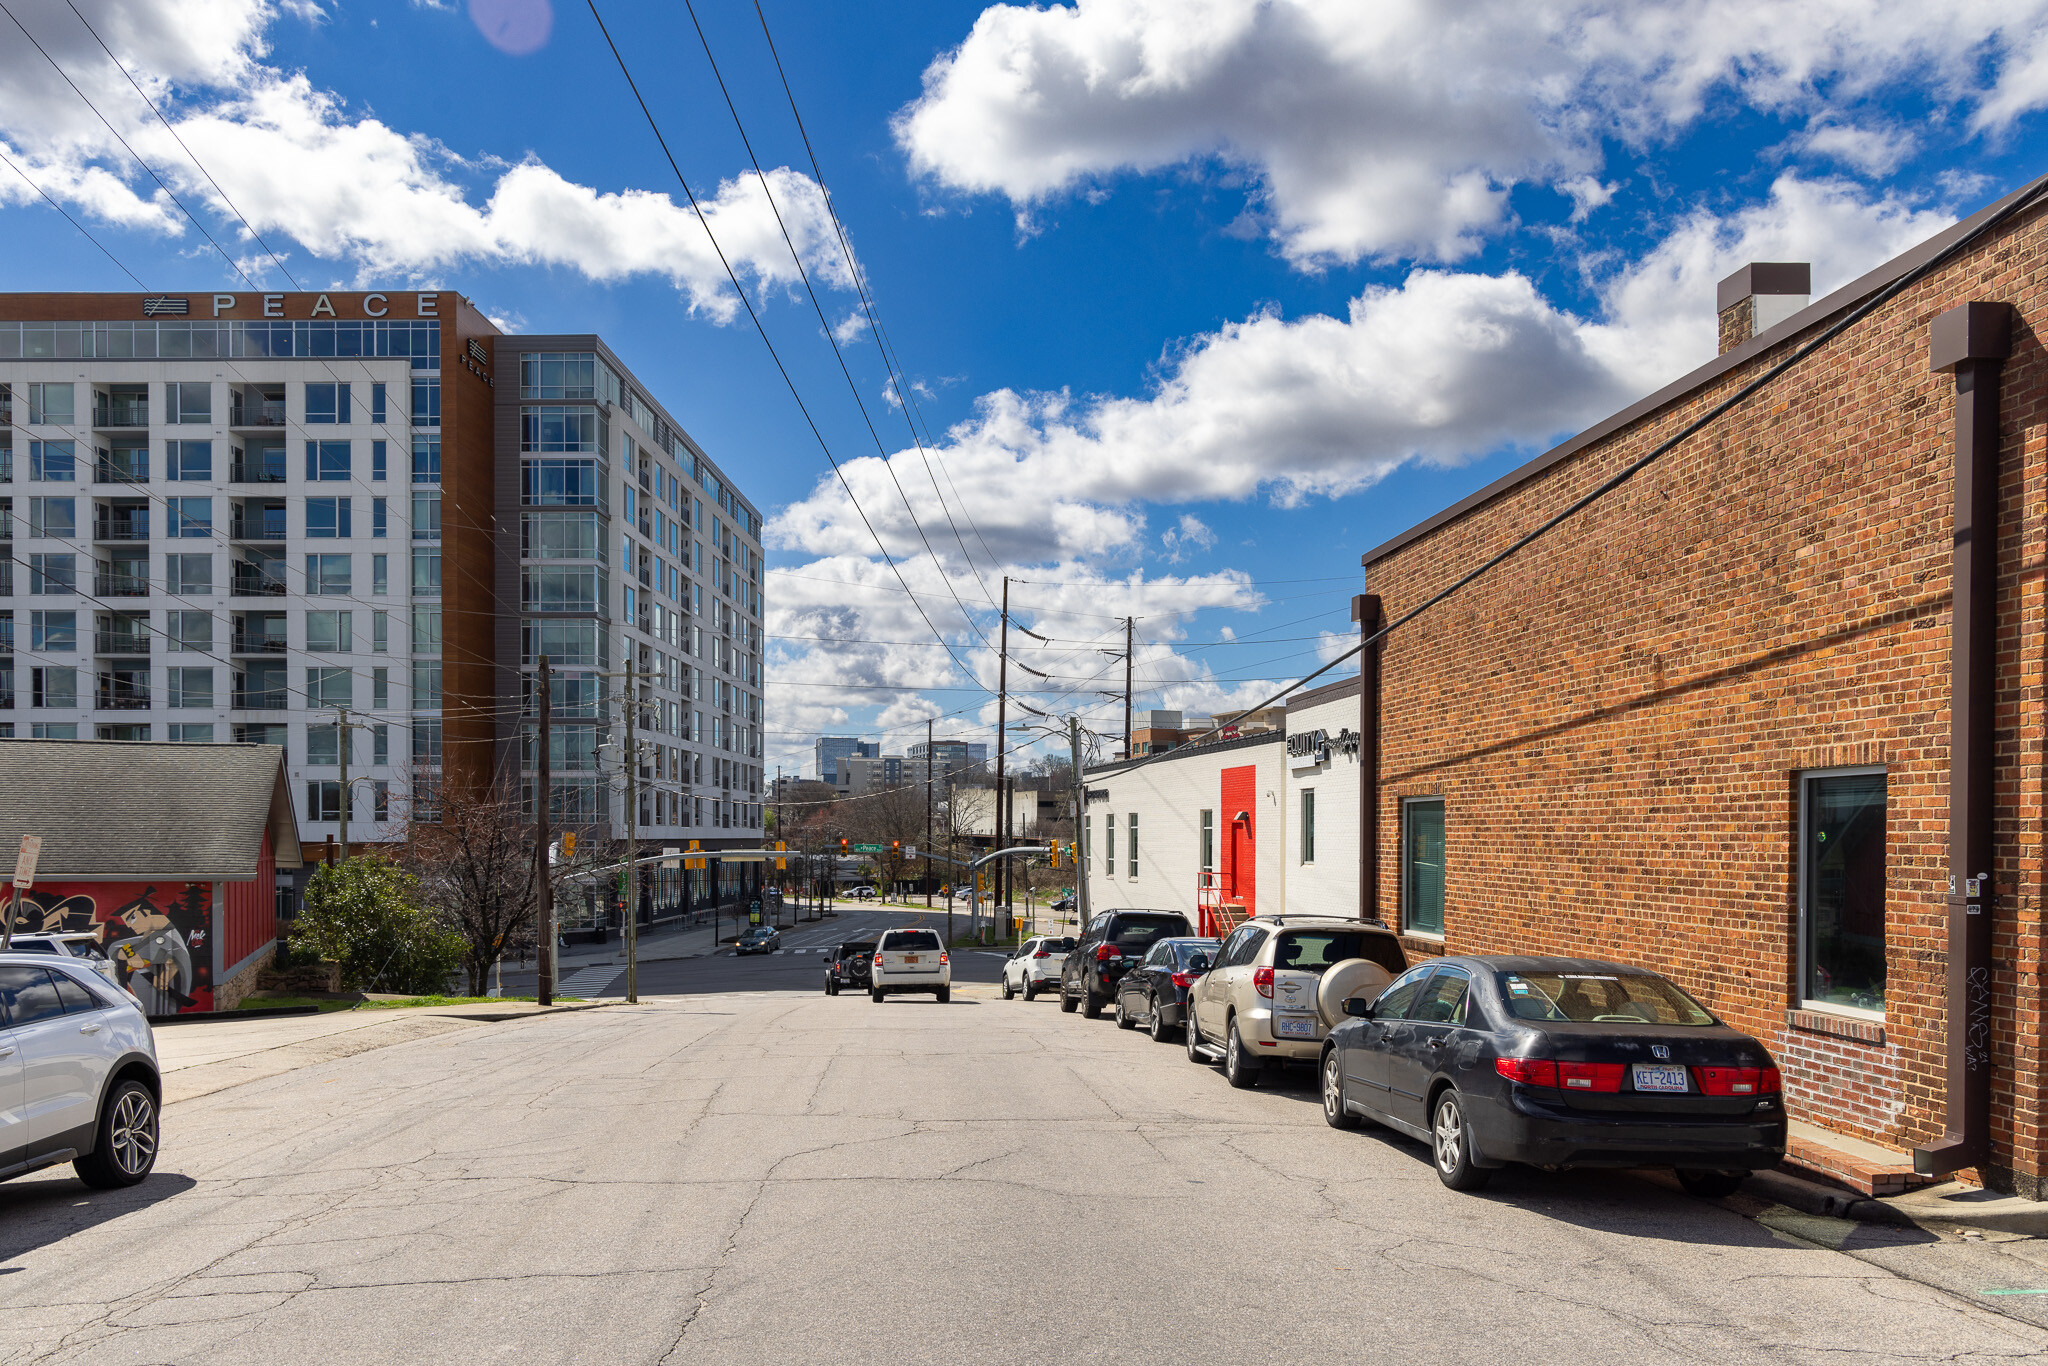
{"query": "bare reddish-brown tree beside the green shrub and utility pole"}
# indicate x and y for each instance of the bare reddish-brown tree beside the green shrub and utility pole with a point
(476, 867)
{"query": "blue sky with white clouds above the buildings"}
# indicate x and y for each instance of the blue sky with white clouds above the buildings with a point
(1183, 304)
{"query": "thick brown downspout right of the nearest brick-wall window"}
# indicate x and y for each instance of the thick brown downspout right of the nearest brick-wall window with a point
(1971, 341)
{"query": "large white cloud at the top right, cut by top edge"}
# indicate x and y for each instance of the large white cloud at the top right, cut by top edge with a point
(1398, 130)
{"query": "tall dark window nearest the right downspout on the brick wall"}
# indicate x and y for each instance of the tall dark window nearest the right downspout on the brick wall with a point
(1842, 890)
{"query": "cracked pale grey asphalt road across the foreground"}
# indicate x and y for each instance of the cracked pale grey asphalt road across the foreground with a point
(775, 1177)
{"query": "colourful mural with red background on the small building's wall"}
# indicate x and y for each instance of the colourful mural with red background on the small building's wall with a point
(157, 937)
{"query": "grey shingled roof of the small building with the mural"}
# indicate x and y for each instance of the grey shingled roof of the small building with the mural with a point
(128, 810)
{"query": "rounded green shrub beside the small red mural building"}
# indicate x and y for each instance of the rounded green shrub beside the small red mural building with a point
(366, 912)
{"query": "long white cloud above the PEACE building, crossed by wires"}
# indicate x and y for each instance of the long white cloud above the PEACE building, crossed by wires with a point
(353, 189)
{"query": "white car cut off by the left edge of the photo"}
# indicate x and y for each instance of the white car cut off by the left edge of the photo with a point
(91, 1058)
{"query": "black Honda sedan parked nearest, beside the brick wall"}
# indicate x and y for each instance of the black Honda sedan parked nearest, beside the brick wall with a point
(1555, 1064)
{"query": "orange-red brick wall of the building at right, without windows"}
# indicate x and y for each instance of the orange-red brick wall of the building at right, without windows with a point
(1617, 718)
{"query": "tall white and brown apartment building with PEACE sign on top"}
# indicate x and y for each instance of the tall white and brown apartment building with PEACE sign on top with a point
(349, 525)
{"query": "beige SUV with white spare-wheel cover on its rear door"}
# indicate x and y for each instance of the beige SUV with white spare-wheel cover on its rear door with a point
(1279, 986)
